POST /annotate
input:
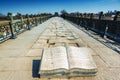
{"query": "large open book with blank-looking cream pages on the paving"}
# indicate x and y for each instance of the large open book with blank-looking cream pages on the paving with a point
(70, 61)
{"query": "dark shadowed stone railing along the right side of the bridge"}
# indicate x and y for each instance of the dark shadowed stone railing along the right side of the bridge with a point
(104, 28)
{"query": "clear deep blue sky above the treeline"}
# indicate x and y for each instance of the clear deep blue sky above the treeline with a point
(40, 6)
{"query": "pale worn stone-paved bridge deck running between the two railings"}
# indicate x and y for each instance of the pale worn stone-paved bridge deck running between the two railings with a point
(19, 58)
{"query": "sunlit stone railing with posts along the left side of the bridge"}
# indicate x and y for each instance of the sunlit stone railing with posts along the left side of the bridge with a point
(12, 28)
